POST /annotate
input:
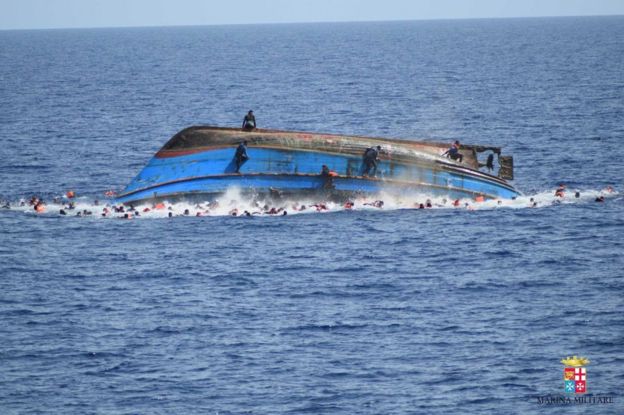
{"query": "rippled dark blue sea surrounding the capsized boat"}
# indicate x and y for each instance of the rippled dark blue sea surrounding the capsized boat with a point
(368, 311)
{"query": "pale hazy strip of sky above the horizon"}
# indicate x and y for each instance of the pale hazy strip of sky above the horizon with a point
(41, 14)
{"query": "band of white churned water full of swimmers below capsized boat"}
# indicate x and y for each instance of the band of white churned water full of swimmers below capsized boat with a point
(234, 203)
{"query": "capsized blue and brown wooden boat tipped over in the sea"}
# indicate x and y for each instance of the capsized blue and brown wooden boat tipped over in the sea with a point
(200, 162)
